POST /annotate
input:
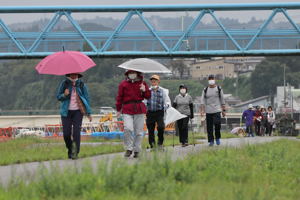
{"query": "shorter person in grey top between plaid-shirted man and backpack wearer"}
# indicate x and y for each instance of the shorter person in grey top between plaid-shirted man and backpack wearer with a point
(183, 102)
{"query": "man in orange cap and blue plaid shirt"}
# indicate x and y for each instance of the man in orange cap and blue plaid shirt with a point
(156, 107)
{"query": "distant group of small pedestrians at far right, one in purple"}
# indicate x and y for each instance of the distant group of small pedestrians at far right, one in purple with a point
(260, 118)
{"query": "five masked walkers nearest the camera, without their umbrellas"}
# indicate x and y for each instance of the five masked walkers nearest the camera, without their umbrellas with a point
(134, 101)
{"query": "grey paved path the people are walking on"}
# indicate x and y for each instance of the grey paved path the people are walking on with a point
(24, 170)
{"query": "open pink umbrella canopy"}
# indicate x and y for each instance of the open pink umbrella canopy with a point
(65, 62)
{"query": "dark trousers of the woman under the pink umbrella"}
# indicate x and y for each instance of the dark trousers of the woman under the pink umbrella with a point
(72, 124)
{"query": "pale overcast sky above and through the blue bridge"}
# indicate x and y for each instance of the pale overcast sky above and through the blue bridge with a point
(11, 18)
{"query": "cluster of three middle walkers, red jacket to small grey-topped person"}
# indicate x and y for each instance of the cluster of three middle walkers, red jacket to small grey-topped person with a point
(135, 100)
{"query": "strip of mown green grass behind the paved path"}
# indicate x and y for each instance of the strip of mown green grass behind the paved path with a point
(30, 149)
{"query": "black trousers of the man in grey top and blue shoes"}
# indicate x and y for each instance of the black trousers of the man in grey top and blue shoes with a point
(213, 120)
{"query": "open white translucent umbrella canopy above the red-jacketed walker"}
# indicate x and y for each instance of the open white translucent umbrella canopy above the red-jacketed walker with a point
(144, 65)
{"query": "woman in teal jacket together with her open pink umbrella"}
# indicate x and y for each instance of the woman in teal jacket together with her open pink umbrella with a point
(72, 93)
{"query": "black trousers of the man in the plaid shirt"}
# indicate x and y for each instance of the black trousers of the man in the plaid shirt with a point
(153, 118)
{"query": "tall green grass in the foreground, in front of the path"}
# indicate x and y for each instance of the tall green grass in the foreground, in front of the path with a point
(266, 171)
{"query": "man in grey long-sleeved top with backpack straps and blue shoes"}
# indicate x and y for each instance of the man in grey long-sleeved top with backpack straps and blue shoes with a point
(213, 104)
